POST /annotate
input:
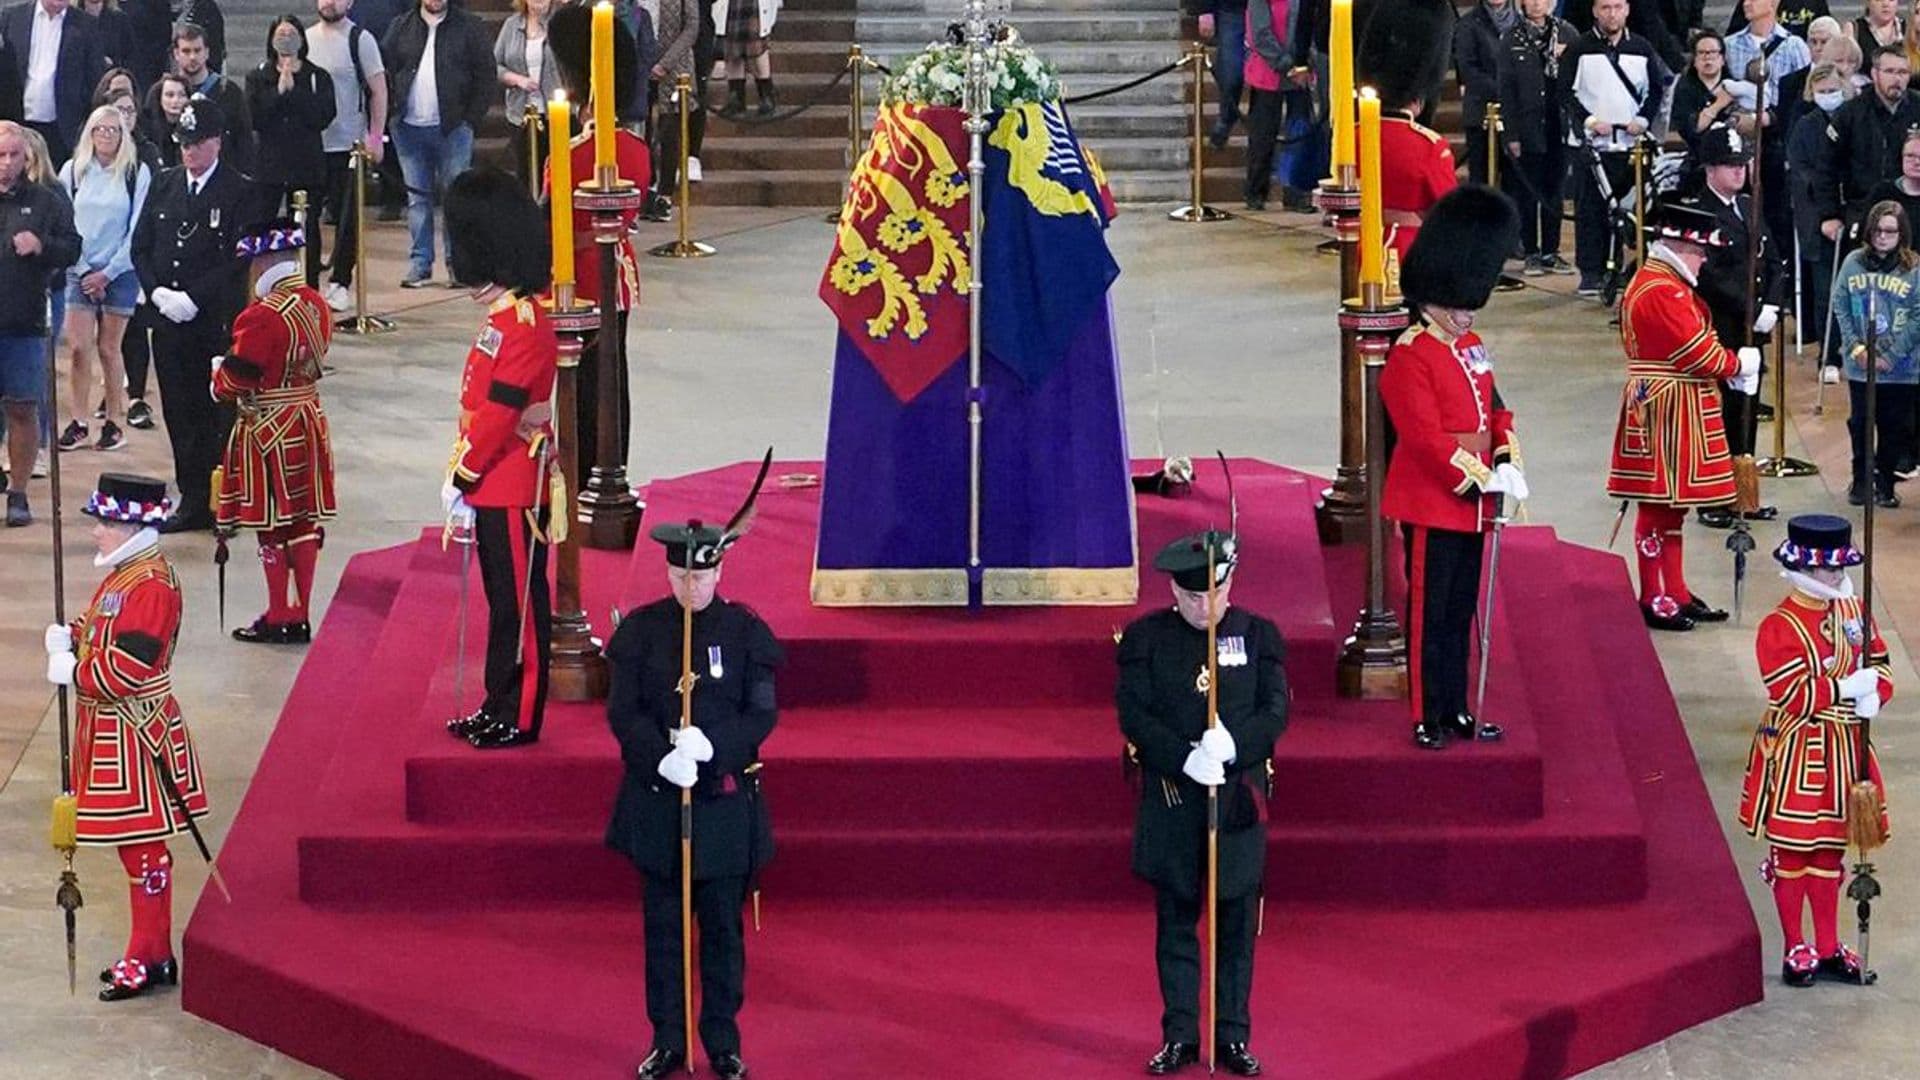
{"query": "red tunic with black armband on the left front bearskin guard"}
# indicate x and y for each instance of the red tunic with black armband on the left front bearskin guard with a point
(506, 412)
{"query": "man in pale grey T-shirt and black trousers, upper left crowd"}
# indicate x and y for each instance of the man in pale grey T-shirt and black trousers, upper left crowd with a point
(352, 59)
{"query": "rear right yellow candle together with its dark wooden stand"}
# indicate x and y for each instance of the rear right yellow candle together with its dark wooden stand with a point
(1341, 512)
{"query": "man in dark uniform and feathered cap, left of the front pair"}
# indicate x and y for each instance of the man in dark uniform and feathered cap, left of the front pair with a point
(719, 758)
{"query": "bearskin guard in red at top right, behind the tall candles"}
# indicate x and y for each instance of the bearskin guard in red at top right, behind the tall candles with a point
(1404, 53)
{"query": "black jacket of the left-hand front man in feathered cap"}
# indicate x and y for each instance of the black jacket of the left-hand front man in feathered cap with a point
(734, 656)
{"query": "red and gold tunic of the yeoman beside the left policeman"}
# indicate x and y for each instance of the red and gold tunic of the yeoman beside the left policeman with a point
(279, 462)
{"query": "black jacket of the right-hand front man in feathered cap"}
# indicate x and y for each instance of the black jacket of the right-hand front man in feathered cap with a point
(1163, 714)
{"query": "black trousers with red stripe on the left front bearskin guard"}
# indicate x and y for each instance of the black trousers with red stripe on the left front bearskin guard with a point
(514, 570)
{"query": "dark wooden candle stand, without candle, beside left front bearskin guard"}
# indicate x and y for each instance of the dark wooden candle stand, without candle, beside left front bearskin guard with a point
(577, 668)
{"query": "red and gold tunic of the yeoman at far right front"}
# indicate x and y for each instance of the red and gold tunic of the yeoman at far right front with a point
(1806, 754)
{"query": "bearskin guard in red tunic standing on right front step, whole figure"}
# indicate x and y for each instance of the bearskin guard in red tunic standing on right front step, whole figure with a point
(1454, 451)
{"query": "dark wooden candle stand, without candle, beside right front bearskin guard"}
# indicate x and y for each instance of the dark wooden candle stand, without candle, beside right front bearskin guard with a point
(1374, 662)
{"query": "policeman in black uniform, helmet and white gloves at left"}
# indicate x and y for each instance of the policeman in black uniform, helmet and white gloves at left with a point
(183, 253)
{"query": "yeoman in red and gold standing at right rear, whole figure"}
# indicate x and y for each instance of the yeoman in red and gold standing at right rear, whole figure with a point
(1669, 449)
